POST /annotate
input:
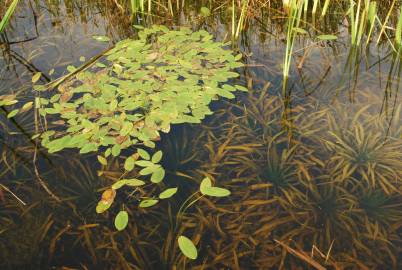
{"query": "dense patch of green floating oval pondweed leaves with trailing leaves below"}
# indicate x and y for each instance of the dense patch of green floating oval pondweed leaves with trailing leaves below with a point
(137, 90)
